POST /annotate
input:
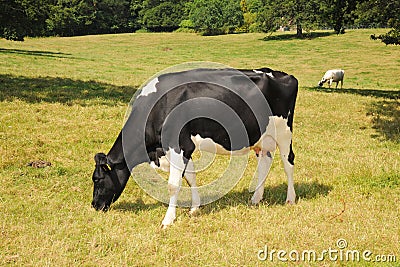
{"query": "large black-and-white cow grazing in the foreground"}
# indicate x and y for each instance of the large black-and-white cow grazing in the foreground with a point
(264, 113)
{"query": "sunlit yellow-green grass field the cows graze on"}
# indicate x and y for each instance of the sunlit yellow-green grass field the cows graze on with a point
(64, 99)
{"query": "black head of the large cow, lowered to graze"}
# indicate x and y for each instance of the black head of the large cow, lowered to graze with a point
(107, 187)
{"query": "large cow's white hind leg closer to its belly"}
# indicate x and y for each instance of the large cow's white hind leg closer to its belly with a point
(263, 166)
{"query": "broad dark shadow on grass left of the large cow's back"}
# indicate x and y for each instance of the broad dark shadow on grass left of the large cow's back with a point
(62, 90)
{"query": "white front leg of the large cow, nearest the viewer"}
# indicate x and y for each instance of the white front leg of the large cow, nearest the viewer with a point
(174, 185)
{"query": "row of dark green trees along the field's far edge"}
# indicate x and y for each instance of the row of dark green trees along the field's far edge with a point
(20, 18)
